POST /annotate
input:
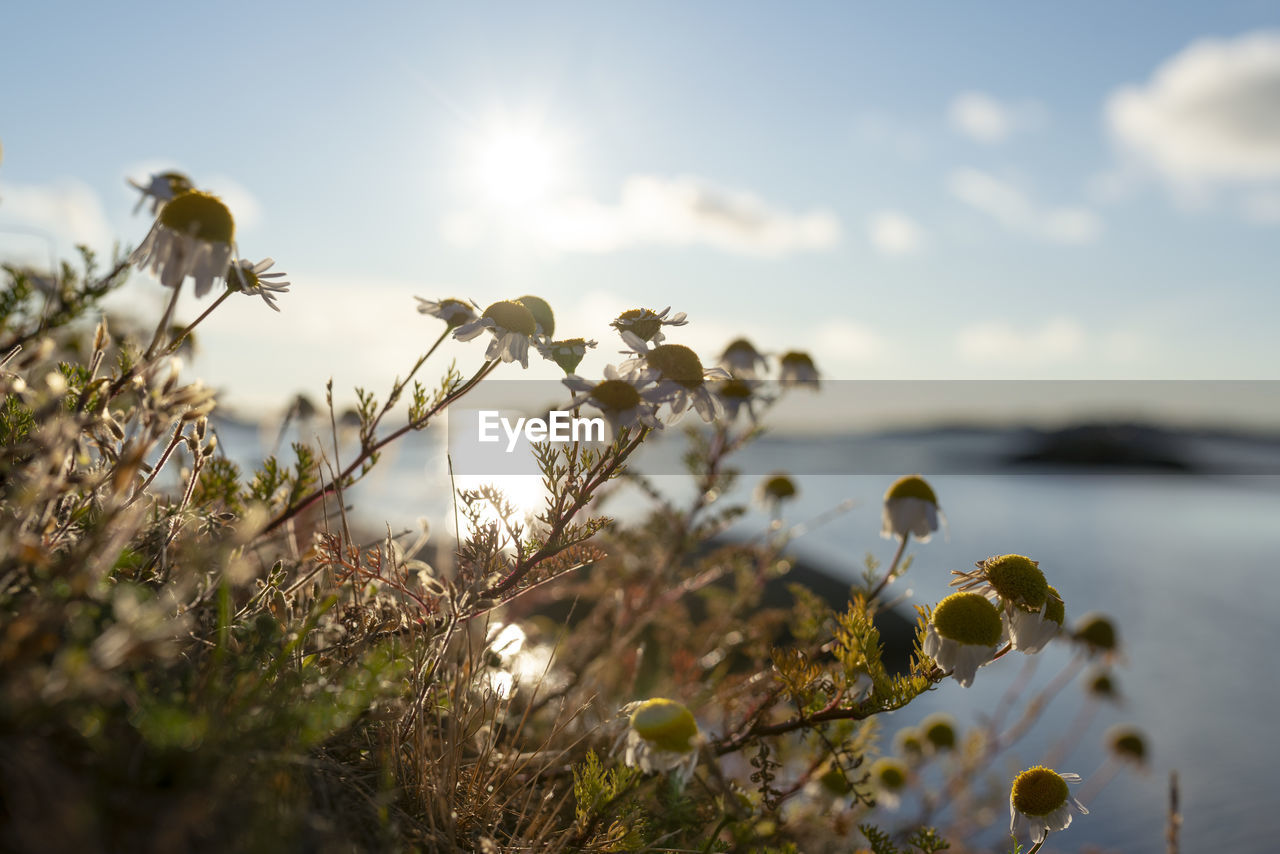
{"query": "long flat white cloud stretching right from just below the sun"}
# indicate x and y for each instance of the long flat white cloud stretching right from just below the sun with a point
(660, 212)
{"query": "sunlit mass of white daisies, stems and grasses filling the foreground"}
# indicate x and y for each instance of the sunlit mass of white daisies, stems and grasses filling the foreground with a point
(203, 656)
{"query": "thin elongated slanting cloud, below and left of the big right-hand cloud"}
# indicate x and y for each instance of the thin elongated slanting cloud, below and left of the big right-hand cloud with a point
(1016, 211)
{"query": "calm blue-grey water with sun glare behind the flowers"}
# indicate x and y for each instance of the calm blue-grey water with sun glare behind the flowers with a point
(1183, 564)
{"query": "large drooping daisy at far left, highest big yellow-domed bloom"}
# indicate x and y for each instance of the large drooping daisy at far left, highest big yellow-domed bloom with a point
(195, 235)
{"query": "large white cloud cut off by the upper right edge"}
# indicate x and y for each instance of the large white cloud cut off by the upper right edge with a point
(1210, 113)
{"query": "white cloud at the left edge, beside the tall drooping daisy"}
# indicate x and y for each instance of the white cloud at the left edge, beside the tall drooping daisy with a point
(67, 213)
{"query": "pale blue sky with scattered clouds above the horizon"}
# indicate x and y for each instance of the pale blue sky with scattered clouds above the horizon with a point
(908, 191)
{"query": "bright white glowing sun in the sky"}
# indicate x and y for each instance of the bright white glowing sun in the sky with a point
(518, 166)
